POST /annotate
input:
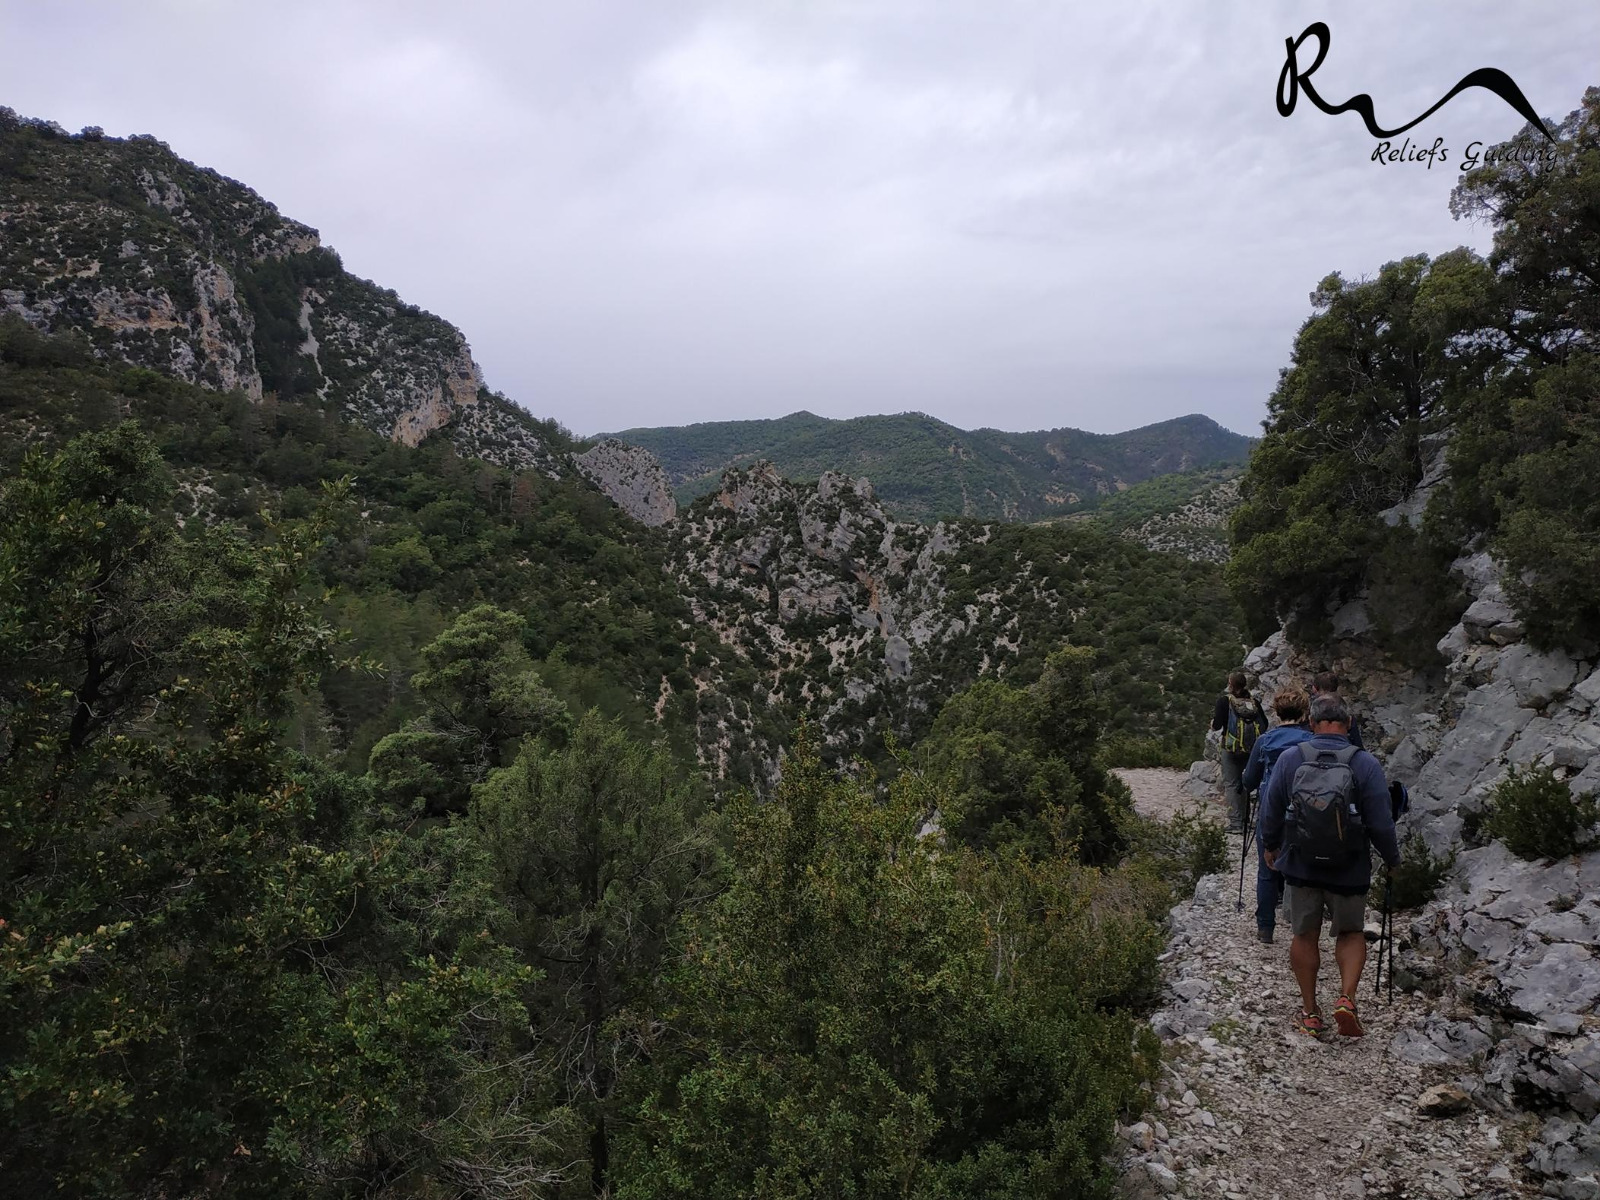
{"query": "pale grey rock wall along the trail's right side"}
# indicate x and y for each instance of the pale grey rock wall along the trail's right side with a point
(1510, 950)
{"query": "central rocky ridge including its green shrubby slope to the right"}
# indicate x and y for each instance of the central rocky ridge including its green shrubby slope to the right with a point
(822, 602)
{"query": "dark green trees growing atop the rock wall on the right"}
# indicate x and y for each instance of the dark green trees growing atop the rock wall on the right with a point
(1486, 361)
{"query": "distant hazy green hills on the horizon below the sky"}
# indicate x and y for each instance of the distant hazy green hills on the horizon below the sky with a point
(926, 470)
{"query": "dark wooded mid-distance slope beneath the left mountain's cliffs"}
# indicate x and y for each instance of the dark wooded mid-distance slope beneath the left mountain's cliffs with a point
(426, 535)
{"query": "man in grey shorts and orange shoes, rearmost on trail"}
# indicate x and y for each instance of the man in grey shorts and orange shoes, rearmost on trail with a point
(1327, 802)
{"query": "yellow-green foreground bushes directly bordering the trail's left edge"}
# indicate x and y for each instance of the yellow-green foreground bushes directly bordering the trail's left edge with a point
(862, 1017)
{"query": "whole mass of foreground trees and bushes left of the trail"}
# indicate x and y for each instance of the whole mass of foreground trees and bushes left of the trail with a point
(521, 954)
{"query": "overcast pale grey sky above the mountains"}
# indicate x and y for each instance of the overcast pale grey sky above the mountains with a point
(1014, 214)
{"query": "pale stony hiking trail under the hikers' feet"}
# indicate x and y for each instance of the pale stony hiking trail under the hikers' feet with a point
(1250, 1108)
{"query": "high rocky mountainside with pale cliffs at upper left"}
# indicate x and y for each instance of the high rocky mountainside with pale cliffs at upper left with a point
(175, 268)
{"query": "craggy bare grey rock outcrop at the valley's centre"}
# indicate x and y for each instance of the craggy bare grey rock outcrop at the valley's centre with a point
(825, 593)
